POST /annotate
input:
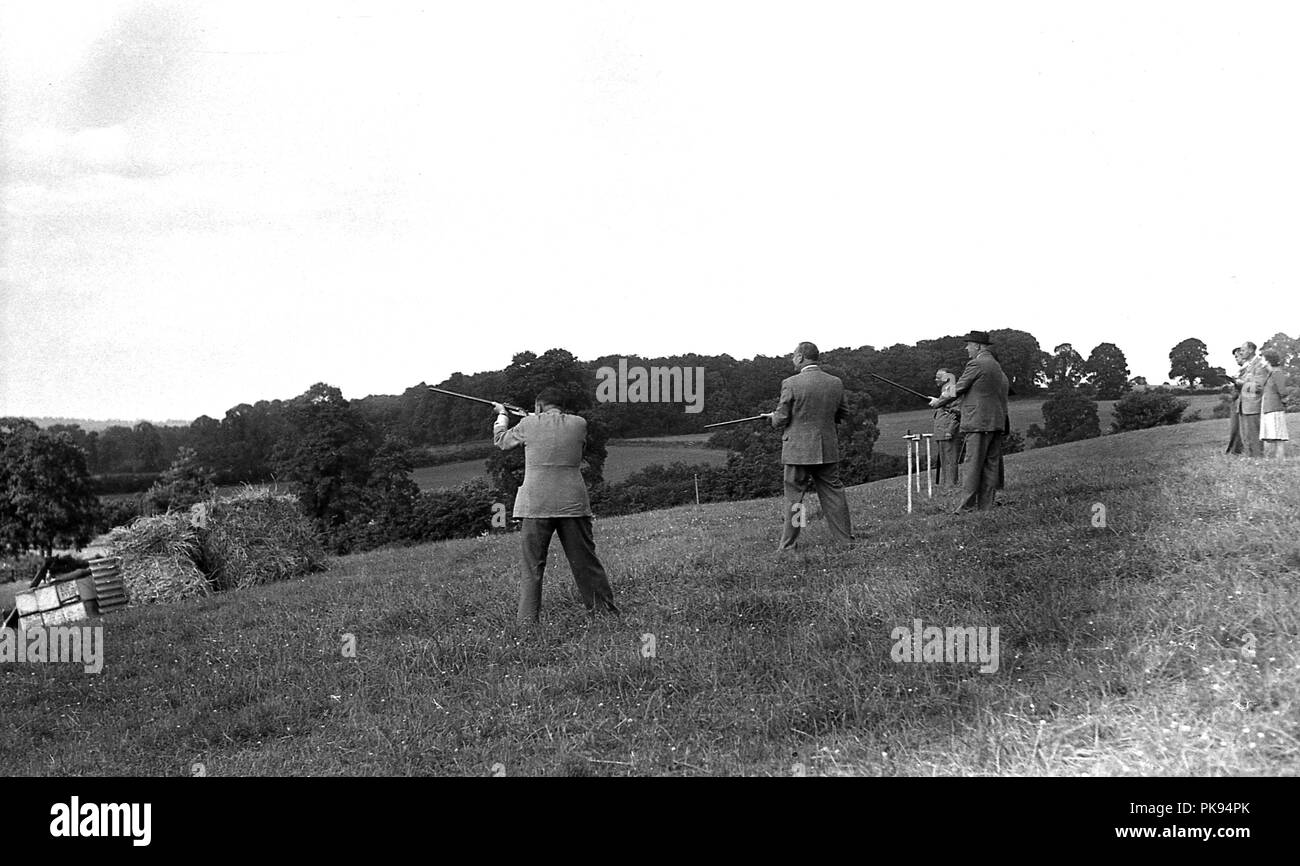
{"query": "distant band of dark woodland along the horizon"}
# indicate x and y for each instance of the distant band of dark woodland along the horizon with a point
(240, 447)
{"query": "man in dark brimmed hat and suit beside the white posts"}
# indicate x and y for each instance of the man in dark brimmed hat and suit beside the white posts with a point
(982, 392)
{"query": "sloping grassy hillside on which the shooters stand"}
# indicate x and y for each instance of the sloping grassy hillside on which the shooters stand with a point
(1164, 643)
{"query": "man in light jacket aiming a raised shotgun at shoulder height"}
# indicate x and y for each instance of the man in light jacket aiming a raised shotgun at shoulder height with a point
(553, 500)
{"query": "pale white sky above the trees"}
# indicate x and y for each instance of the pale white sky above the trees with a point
(213, 203)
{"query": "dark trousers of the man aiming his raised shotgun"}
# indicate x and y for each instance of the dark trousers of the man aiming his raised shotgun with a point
(579, 549)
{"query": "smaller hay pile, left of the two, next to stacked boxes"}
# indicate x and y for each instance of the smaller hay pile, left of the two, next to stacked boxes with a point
(159, 557)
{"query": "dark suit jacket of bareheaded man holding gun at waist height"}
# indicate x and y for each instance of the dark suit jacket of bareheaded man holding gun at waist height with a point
(813, 402)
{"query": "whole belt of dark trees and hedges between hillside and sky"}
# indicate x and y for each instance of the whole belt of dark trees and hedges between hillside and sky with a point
(350, 462)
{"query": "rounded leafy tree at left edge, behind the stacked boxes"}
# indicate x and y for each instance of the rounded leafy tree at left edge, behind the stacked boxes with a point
(46, 499)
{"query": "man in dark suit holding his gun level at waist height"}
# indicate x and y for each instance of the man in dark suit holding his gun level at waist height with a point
(813, 402)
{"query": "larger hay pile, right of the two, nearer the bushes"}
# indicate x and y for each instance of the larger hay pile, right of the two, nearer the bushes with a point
(257, 538)
